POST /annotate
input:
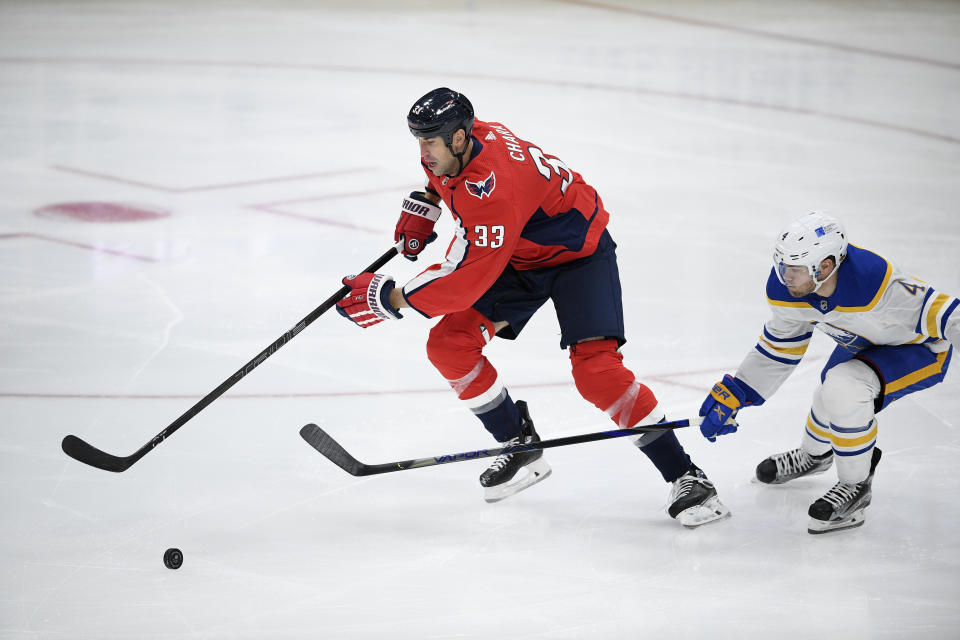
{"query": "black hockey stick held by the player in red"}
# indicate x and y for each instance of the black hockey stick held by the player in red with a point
(88, 454)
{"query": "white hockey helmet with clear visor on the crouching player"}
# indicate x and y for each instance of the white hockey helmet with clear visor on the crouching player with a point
(808, 241)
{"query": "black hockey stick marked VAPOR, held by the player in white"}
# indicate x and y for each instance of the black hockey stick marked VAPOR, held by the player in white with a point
(322, 442)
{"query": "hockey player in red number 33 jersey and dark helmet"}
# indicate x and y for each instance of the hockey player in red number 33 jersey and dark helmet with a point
(527, 229)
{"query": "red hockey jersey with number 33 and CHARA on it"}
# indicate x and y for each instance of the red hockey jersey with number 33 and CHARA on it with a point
(511, 204)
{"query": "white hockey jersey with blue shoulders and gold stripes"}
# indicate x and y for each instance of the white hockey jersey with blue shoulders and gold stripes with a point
(874, 304)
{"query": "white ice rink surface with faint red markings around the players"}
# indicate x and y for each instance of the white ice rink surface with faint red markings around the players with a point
(183, 181)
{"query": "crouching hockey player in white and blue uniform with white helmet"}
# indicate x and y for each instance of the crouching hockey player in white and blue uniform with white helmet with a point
(894, 337)
